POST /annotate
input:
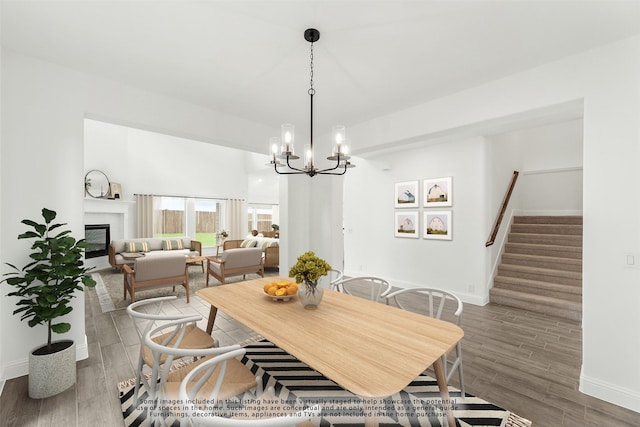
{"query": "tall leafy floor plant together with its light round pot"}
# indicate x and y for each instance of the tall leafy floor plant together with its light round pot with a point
(45, 287)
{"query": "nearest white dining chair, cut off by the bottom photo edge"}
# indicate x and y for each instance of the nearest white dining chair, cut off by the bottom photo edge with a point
(192, 390)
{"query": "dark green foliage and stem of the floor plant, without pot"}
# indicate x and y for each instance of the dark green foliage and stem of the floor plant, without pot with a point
(46, 284)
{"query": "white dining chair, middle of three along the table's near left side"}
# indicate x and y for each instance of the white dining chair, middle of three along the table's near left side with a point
(165, 378)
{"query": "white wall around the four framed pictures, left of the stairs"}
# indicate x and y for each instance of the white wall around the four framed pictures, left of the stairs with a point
(370, 246)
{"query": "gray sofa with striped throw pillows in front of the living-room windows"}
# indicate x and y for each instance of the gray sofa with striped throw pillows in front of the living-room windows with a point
(126, 251)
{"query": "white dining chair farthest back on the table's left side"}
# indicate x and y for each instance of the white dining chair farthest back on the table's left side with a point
(145, 315)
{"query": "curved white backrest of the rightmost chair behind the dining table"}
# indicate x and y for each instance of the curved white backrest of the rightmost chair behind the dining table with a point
(431, 301)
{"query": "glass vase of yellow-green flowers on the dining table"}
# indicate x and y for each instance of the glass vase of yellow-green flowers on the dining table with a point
(307, 270)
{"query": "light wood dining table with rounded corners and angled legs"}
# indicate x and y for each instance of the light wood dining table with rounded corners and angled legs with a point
(371, 349)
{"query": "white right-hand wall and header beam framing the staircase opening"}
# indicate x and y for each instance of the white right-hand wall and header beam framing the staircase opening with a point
(607, 80)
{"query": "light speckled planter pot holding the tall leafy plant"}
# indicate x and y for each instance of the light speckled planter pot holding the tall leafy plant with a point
(50, 374)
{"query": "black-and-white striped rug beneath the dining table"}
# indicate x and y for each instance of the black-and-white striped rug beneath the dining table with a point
(419, 404)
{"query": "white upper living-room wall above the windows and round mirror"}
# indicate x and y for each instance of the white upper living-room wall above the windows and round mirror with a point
(146, 162)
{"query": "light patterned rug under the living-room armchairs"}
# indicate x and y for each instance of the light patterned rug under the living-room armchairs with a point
(109, 287)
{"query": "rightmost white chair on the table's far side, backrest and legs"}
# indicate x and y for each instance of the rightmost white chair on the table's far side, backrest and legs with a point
(434, 303)
